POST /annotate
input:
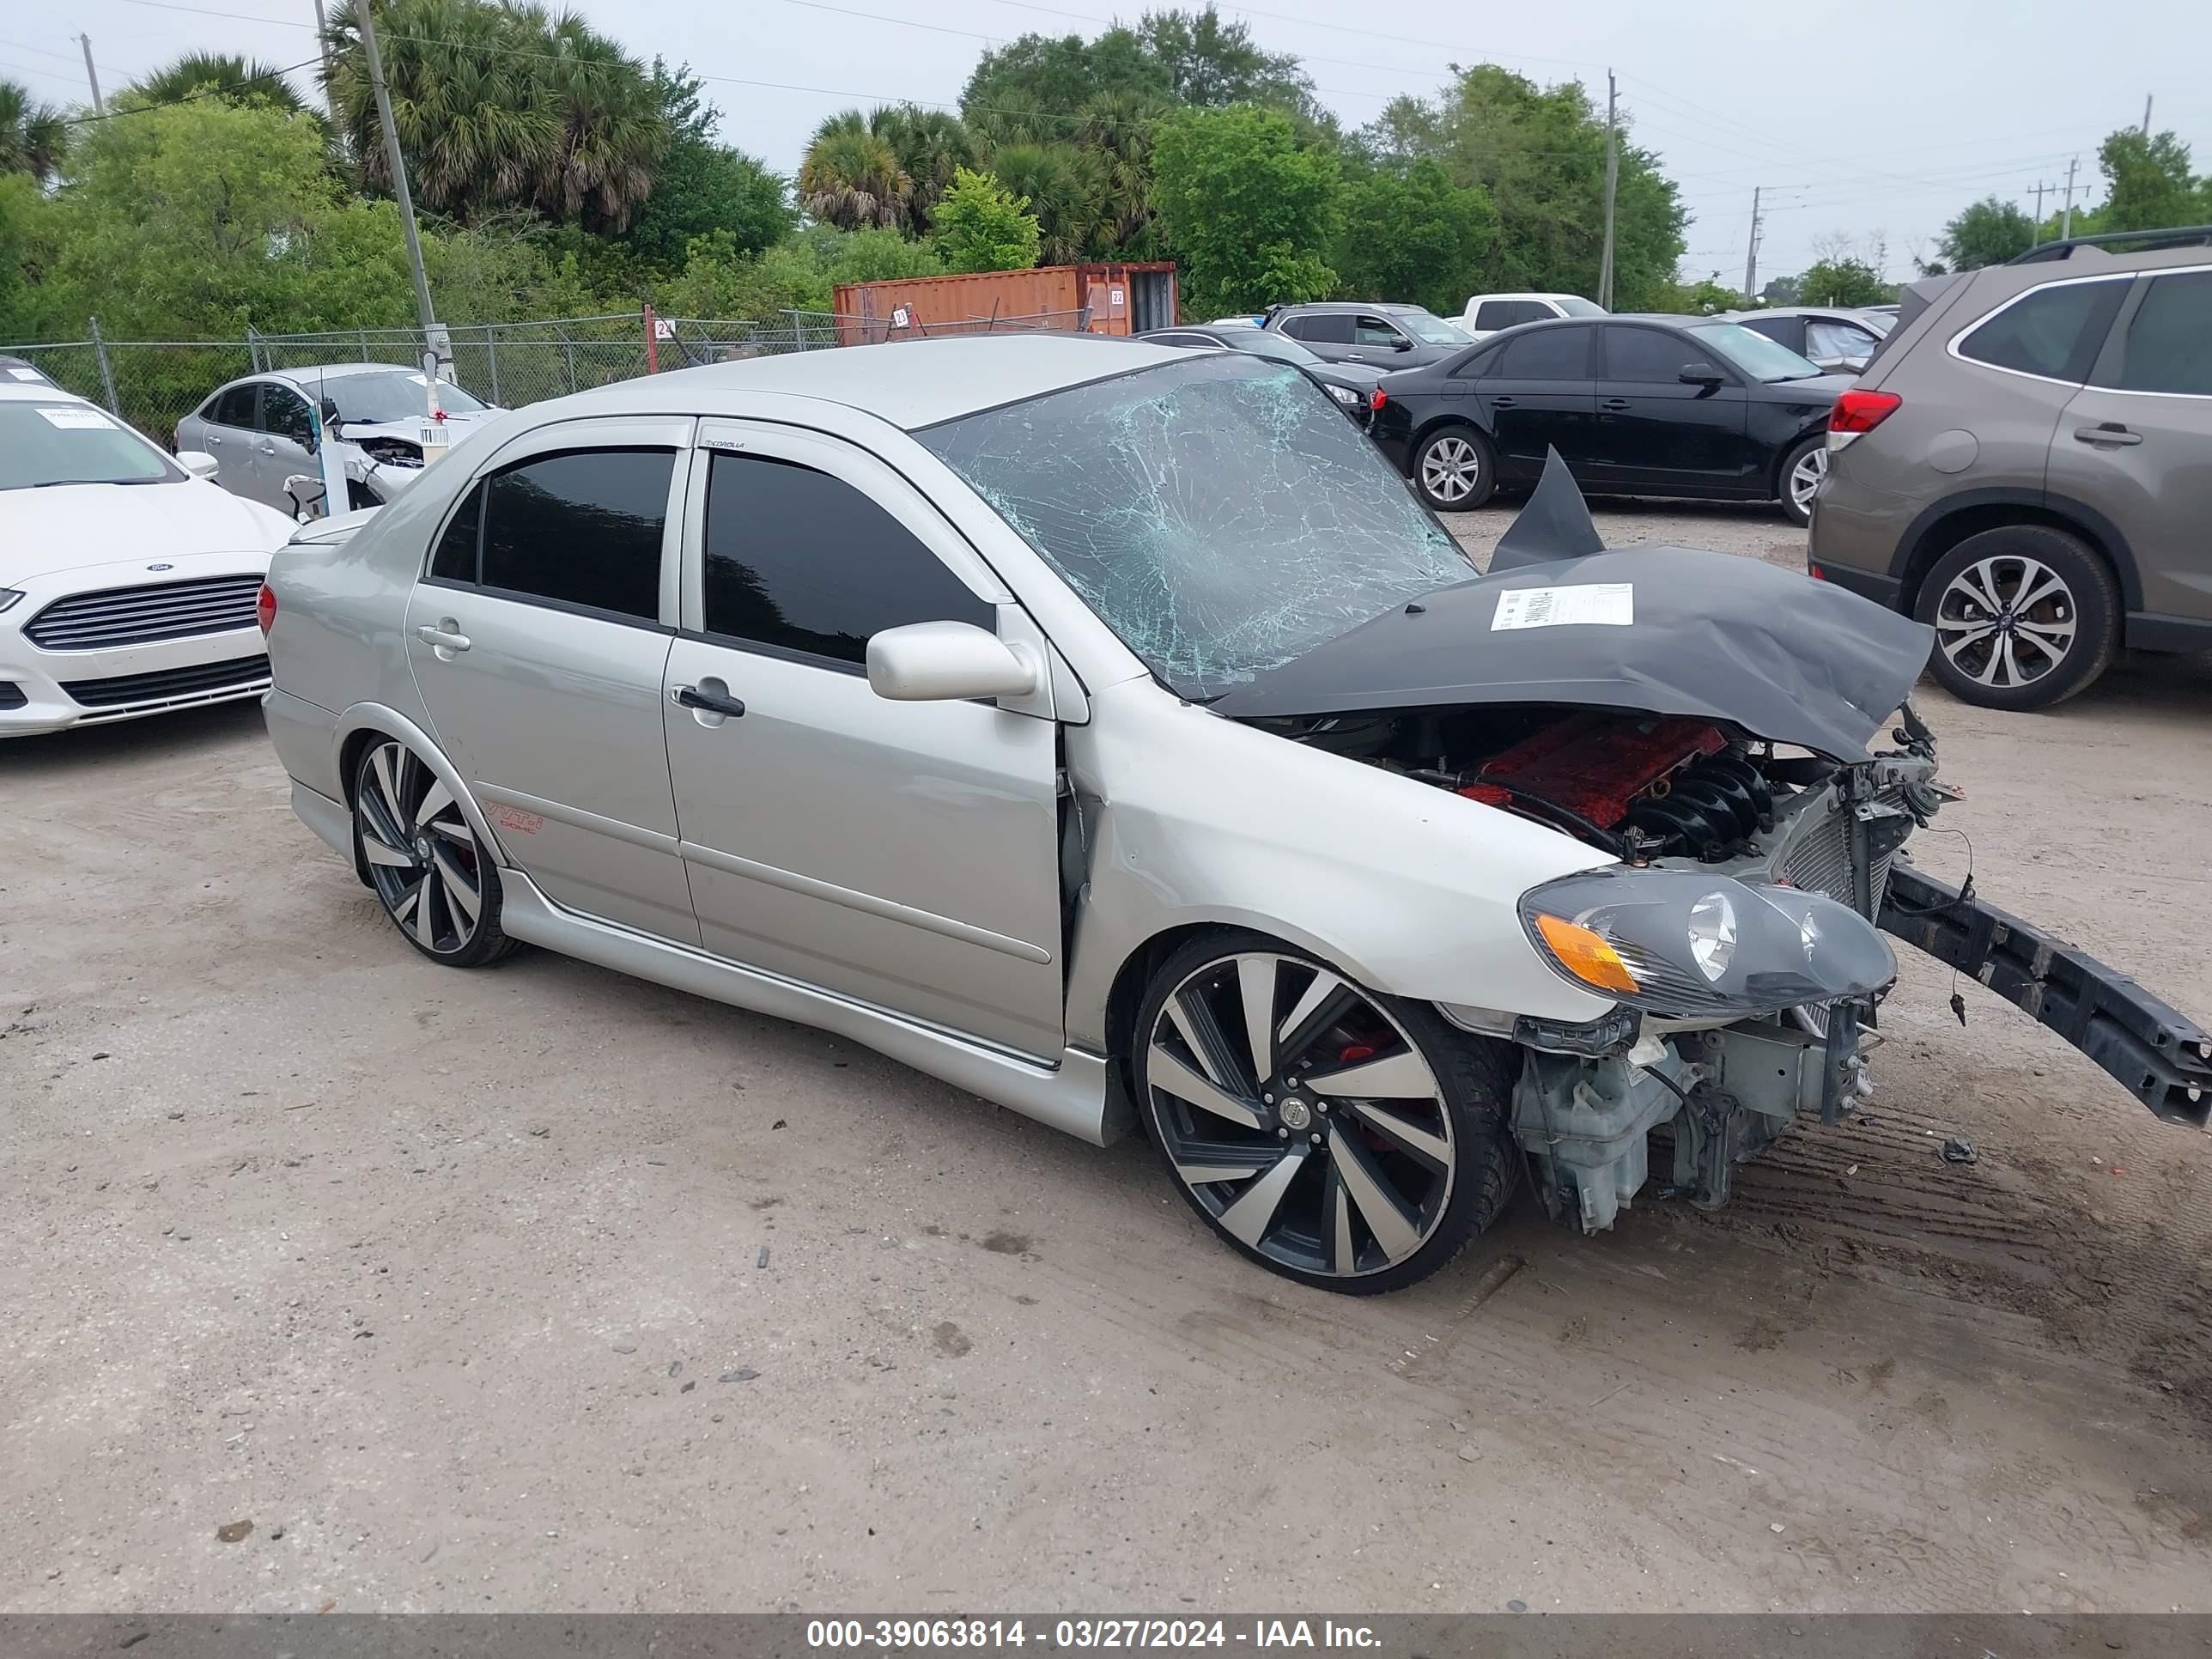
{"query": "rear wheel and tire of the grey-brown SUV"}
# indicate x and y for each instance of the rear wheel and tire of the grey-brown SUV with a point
(2025, 618)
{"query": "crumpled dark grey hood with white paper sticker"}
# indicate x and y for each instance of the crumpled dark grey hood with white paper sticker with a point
(1709, 636)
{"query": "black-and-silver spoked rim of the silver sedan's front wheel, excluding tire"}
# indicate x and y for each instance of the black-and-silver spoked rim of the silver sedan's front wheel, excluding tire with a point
(1300, 1114)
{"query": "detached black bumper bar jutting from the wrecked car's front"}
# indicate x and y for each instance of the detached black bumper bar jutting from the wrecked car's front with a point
(2156, 1052)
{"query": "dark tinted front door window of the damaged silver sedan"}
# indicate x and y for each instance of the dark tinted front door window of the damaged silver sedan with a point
(806, 563)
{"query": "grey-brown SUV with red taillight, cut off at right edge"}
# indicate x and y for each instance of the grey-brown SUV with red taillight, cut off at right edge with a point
(2027, 466)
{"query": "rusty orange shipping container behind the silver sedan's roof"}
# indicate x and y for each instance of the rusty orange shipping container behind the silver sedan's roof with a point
(1100, 300)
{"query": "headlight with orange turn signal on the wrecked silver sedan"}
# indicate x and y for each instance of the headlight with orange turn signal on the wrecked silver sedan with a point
(1682, 943)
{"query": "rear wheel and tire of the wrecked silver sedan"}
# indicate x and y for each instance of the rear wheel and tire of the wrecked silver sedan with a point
(426, 864)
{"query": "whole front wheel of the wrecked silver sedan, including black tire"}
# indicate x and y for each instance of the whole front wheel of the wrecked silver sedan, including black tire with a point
(1331, 1134)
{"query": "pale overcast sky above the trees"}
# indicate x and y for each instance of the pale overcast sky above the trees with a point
(1872, 118)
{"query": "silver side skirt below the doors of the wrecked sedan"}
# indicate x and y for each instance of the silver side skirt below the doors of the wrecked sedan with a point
(1067, 1096)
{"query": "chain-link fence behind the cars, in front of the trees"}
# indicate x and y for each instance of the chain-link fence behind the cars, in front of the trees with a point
(156, 384)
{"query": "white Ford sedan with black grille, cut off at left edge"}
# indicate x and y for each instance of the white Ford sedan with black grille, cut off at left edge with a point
(127, 581)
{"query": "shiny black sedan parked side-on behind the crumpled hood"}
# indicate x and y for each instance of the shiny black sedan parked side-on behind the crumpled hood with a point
(1636, 406)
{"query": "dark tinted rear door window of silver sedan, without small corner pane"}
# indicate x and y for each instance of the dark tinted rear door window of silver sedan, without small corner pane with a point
(583, 528)
